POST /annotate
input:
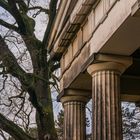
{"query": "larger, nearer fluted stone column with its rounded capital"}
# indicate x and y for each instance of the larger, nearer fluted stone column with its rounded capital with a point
(106, 100)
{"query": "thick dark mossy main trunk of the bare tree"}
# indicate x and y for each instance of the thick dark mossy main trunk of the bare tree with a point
(44, 117)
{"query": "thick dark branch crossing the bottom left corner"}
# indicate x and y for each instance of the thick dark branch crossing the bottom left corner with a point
(12, 129)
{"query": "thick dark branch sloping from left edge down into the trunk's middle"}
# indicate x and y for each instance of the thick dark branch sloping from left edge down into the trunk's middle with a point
(12, 67)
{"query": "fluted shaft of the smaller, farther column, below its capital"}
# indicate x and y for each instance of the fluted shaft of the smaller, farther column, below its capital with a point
(74, 122)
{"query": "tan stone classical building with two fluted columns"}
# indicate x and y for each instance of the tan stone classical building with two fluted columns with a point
(98, 44)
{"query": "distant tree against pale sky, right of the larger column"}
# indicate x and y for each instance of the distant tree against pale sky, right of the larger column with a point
(131, 121)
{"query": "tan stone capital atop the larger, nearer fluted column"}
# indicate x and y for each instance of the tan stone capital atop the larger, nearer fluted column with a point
(110, 62)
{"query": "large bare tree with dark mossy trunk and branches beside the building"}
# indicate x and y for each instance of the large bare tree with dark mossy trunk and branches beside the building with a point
(17, 25)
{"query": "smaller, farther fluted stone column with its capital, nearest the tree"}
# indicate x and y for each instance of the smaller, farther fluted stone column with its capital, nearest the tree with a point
(74, 117)
